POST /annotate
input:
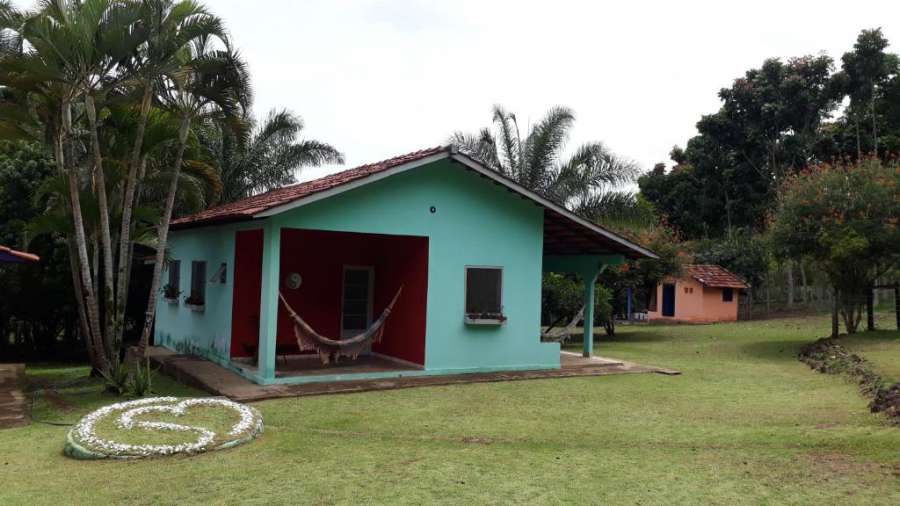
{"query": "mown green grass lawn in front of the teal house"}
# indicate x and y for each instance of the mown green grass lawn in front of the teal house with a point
(745, 424)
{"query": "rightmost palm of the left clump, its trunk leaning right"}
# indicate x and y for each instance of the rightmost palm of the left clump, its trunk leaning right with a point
(210, 85)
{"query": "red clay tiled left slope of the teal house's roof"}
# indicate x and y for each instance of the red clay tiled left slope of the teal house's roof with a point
(247, 208)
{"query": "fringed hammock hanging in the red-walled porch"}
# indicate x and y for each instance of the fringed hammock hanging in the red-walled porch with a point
(333, 349)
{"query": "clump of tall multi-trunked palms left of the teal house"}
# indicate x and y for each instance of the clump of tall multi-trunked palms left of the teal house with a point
(69, 65)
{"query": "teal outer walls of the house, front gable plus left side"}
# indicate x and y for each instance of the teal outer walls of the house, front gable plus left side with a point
(476, 223)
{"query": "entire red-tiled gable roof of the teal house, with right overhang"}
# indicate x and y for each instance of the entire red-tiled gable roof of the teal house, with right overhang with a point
(565, 232)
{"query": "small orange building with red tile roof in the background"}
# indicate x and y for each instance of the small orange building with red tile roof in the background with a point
(704, 294)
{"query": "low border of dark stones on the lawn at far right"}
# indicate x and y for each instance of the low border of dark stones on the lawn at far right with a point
(829, 356)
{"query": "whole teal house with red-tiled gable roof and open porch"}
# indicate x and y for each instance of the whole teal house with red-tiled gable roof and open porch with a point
(458, 247)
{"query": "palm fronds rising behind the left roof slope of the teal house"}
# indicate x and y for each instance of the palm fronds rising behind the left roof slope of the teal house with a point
(268, 158)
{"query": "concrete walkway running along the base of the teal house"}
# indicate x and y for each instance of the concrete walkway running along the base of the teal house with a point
(217, 380)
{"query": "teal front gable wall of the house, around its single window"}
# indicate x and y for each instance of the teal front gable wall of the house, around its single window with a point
(476, 223)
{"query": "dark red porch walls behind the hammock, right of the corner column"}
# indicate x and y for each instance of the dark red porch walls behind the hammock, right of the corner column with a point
(319, 257)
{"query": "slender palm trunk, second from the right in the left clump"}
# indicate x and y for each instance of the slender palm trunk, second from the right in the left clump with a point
(128, 200)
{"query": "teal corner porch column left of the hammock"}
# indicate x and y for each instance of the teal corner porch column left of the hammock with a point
(268, 311)
